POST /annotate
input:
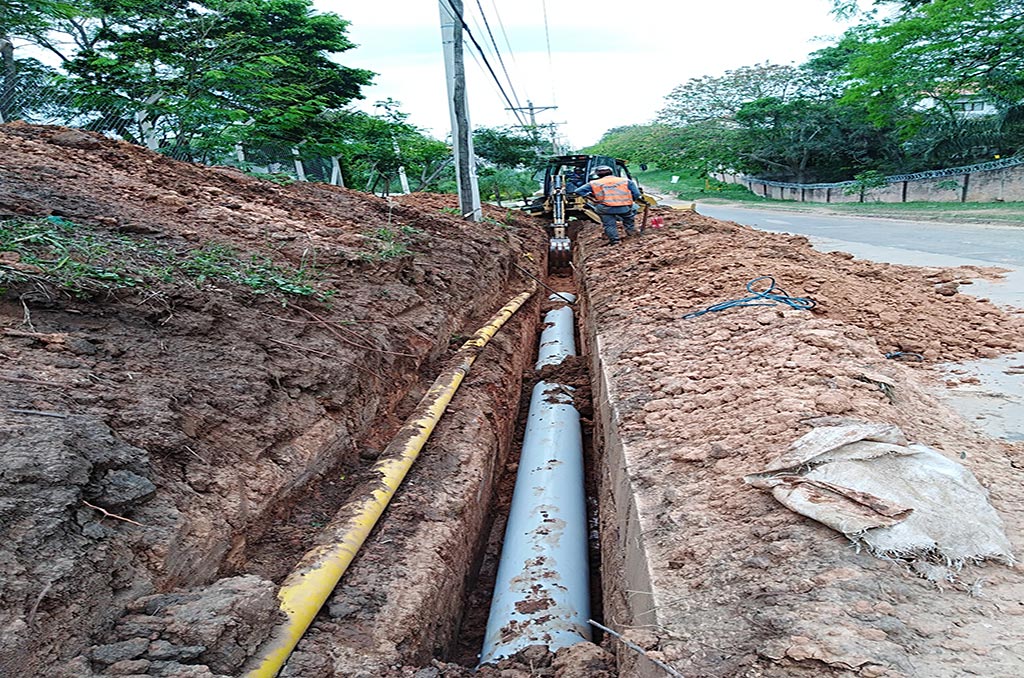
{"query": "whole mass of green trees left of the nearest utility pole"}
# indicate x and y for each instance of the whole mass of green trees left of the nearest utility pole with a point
(199, 77)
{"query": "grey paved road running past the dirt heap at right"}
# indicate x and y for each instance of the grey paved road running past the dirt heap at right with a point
(995, 244)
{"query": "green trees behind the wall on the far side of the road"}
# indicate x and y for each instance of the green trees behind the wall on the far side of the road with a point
(916, 84)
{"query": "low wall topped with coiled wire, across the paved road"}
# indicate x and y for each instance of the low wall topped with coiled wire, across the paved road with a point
(997, 181)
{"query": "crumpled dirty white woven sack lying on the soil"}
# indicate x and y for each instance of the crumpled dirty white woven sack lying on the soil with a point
(902, 500)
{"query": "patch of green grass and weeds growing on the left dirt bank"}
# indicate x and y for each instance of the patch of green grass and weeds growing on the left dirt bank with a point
(84, 262)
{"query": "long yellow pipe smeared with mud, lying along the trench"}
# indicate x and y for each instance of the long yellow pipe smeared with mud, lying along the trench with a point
(310, 585)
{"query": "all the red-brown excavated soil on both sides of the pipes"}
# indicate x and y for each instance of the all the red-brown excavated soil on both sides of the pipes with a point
(168, 450)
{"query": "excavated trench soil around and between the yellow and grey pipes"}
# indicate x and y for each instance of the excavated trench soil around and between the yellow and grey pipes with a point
(420, 590)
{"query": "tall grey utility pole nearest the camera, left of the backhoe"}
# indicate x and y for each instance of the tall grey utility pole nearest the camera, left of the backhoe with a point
(462, 136)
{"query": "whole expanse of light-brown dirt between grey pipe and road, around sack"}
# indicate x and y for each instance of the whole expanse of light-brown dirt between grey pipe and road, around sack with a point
(742, 586)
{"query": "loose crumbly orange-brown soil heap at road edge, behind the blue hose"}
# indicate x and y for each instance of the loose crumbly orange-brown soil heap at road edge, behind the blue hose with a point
(905, 309)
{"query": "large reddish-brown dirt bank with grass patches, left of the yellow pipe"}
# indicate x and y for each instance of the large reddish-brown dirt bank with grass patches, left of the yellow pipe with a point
(184, 350)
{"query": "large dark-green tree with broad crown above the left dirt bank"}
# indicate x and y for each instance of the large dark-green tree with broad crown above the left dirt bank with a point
(208, 73)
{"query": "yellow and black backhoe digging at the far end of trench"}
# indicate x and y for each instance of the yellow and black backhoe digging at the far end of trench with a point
(560, 203)
